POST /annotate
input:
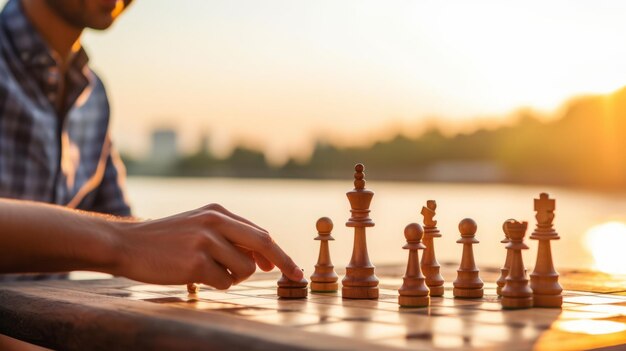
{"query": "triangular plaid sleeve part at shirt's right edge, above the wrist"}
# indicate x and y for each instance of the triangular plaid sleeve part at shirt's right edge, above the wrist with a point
(110, 195)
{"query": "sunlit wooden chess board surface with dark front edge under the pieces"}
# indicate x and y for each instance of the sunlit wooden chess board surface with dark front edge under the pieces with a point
(251, 316)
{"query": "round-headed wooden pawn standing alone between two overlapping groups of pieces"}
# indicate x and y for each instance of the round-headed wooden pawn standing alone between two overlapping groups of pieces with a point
(468, 283)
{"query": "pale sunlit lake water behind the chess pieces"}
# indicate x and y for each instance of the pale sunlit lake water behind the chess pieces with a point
(290, 208)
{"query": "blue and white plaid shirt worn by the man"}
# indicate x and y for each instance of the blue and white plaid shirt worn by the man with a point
(50, 150)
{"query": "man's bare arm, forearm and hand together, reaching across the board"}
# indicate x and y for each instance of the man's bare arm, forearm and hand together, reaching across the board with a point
(208, 245)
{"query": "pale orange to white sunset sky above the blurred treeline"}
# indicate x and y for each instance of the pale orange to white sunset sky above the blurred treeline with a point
(279, 74)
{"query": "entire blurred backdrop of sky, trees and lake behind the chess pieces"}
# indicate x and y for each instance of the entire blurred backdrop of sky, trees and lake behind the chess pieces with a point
(266, 106)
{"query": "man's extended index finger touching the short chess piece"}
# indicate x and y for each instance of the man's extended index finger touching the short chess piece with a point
(259, 241)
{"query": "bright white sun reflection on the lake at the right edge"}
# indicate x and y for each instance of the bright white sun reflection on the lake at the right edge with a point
(607, 242)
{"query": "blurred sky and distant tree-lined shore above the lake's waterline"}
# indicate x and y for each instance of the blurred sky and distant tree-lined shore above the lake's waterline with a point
(422, 91)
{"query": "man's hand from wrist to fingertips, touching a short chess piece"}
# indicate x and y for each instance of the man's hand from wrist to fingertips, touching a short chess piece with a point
(209, 245)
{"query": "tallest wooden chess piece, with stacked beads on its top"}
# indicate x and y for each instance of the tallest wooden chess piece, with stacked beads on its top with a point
(360, 281)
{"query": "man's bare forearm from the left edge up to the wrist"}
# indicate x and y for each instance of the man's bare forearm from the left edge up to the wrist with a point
(36, 237)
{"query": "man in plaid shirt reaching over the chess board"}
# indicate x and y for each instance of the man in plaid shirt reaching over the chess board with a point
(54, 148)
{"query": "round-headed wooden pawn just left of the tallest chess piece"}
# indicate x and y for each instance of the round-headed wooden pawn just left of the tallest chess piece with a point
(324, 278)
